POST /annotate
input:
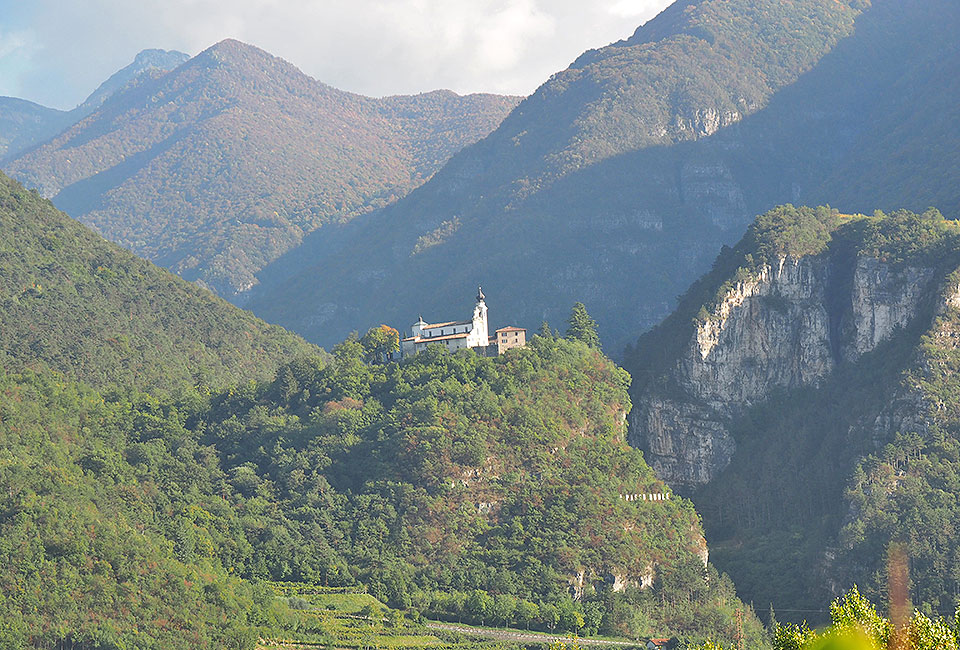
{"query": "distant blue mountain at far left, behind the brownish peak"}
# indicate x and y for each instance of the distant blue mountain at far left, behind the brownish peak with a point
(24, 124)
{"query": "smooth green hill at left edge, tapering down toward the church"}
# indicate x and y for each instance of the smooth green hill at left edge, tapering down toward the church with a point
(73, 302)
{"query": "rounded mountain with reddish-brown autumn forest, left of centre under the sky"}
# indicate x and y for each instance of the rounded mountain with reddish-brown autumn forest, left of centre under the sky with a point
(216, 168)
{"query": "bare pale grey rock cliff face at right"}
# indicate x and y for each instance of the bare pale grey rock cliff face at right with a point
(786, 326)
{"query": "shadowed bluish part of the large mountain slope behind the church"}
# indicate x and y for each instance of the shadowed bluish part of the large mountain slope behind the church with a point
(630, 233)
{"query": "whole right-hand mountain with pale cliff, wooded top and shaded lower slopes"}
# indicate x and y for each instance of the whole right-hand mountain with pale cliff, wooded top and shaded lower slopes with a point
(805, 393)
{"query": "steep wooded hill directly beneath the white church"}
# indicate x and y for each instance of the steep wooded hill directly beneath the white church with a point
(474, 488)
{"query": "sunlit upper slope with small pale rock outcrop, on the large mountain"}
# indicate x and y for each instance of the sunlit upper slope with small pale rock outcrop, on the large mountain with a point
(745, 51)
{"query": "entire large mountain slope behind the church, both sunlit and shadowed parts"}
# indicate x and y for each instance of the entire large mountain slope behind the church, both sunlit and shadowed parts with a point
(620, 179)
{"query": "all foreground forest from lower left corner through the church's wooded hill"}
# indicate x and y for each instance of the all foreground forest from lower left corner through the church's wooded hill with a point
(476, 489)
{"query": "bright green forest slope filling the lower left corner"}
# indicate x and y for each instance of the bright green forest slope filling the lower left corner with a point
(104, 536)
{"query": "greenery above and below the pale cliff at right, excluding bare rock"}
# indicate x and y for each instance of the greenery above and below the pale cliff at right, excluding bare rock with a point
(826, 476)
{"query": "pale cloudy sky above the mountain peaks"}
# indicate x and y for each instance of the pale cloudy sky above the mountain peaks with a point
(56, 52)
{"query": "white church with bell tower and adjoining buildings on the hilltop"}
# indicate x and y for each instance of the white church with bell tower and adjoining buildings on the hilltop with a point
(457, 335)
